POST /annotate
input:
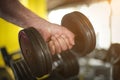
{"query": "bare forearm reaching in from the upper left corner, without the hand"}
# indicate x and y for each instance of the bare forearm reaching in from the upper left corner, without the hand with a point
(14, 12)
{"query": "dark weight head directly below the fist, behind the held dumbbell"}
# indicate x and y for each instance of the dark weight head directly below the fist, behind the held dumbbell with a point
(70, 66)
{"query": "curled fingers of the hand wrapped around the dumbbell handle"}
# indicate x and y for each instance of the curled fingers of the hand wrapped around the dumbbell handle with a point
(59, 44)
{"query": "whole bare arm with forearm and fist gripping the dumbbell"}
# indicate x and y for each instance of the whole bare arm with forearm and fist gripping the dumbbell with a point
(58, 37)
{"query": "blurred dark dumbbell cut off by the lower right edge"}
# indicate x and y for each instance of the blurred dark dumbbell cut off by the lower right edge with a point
(113, 56)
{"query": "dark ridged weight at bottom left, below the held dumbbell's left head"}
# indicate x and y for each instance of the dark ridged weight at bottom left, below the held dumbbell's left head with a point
(21, 70)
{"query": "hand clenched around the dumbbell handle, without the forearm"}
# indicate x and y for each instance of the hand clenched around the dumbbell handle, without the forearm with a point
(58, 37)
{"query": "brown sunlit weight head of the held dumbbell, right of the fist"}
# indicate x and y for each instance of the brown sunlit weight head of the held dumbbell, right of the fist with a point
(79, 24)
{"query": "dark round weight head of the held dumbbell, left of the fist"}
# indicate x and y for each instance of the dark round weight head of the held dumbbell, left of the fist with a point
(35, 52)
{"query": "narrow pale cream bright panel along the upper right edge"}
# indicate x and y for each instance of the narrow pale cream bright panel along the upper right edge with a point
(115, 4)
